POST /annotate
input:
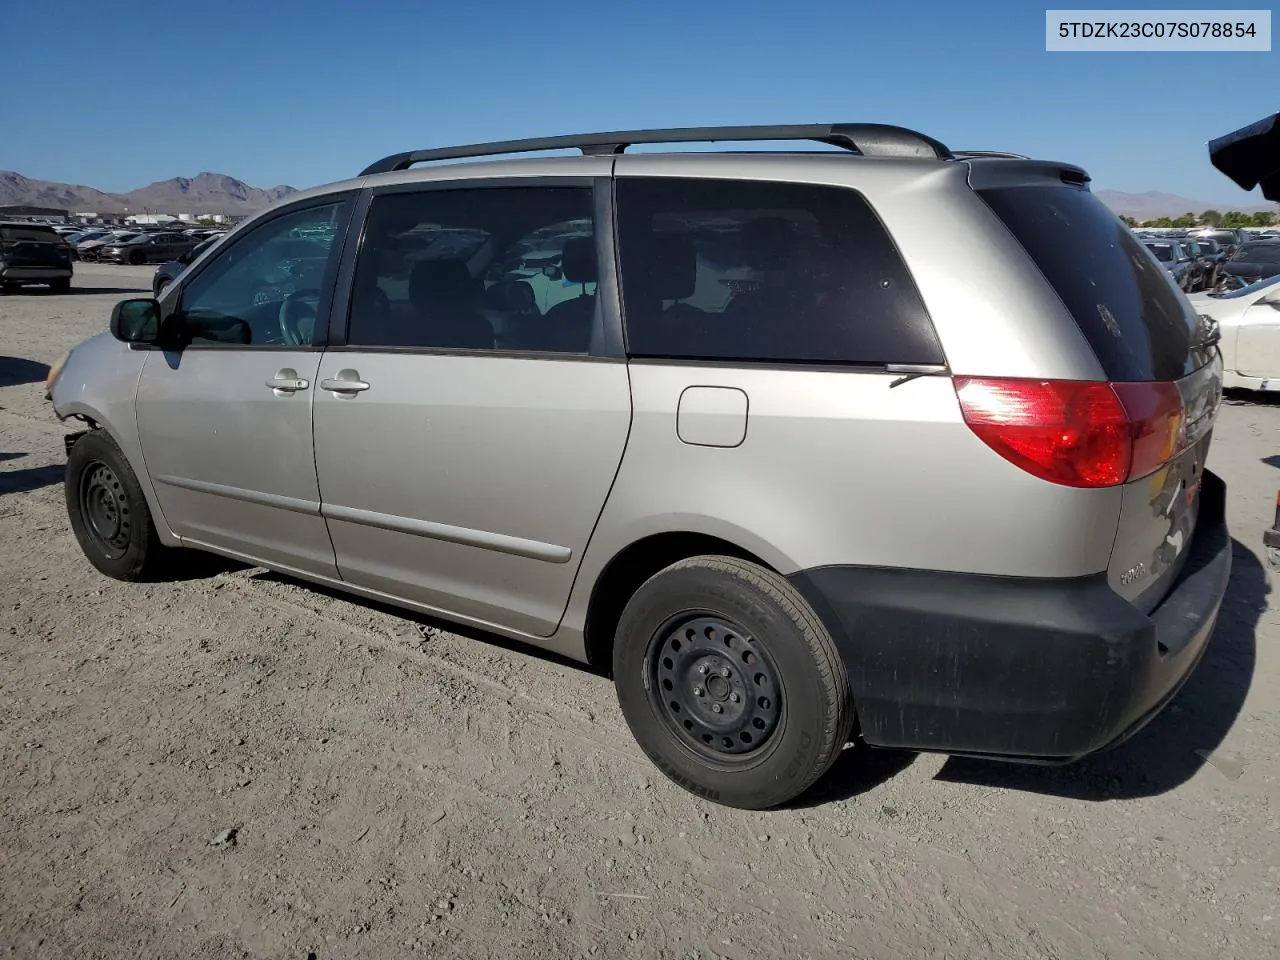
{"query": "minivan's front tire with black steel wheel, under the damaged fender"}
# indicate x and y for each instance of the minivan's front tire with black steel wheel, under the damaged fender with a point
(109, 513)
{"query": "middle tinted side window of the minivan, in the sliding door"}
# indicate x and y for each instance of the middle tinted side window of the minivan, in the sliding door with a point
(478, 269)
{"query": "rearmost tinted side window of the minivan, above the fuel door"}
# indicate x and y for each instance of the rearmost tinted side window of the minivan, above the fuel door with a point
(766, 272)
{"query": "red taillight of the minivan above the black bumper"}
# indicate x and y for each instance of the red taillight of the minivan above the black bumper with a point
(1078, 433)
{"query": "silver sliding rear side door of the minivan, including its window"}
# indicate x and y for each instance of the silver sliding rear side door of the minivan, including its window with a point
(468, 436)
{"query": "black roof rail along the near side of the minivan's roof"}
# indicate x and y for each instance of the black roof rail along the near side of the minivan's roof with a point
(865, 139)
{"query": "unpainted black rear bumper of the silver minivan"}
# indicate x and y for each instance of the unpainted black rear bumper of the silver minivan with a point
(1035, 670)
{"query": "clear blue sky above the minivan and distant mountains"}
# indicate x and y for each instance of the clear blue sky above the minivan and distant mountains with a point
(281, 92)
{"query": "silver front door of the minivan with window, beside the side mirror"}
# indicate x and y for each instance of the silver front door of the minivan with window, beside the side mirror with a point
(226, 424)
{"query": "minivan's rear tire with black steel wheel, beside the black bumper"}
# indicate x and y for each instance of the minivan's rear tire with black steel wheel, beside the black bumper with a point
(793, 715)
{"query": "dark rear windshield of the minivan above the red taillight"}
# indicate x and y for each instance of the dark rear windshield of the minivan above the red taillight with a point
(1126, 305)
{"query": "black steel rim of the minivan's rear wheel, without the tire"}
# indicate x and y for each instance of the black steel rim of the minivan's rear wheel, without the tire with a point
(716, 685)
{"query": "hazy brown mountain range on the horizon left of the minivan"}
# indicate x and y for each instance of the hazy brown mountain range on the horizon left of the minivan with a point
(204, 194)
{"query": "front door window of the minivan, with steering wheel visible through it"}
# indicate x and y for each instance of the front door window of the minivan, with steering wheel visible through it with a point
(267, 287)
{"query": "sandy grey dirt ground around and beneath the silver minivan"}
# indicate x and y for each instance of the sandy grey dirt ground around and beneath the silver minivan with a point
(396, 790)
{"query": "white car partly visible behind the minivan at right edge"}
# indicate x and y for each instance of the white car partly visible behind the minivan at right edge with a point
(1250, 324)
